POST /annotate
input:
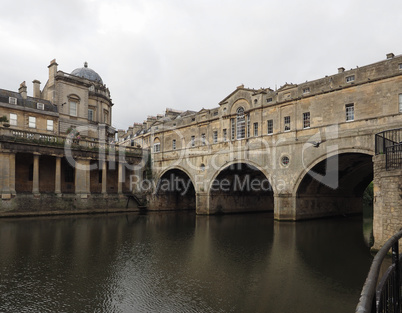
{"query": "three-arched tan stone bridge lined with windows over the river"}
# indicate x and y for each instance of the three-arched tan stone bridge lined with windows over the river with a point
(302, 151)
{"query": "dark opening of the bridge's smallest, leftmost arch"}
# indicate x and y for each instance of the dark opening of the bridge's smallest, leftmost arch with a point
(175, 191)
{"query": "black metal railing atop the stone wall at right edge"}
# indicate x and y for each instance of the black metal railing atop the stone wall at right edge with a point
(389, 142)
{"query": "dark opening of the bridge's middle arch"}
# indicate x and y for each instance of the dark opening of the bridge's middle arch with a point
(241, 188)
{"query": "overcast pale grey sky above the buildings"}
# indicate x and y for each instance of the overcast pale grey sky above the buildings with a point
(190, 54)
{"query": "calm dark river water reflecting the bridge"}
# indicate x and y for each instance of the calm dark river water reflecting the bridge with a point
(180, 262)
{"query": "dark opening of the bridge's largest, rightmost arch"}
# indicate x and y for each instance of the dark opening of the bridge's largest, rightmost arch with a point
(334, 184)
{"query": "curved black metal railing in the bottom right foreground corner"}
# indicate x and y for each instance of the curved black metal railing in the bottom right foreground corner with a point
(383, 296)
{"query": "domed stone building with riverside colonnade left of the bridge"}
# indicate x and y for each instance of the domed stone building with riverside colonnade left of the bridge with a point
(57, 150)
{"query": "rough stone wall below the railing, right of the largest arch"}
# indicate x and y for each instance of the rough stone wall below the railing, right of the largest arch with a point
(387, 202)
